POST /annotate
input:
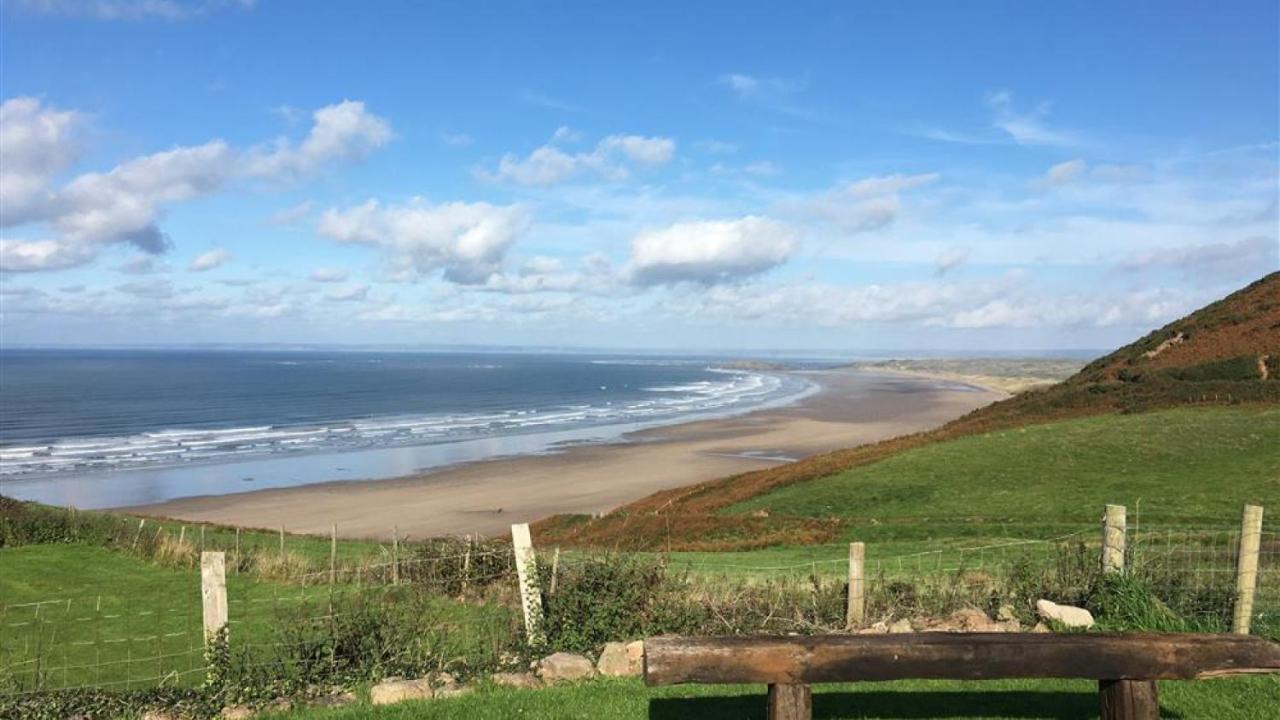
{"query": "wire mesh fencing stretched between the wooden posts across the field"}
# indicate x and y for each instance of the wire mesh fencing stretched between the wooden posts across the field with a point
(455, 605)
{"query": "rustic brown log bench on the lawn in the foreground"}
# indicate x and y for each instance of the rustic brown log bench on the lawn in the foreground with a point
(1126, 666)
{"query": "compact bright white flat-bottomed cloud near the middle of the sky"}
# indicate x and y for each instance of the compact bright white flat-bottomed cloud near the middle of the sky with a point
(711, 252)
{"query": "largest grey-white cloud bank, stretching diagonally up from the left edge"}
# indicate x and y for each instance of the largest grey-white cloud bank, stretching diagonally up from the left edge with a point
(124, 206)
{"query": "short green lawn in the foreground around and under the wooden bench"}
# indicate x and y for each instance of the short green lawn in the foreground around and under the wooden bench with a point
(1238, 699)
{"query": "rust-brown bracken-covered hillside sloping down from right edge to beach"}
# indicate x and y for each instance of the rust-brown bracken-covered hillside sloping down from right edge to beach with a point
(1224, 354)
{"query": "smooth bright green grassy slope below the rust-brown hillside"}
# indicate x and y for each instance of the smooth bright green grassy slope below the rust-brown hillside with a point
(1190, 466)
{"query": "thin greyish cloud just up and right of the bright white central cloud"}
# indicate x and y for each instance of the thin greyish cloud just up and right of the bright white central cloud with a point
(863, 206)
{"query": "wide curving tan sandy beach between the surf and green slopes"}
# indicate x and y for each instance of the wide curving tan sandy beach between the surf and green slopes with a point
(852, 408)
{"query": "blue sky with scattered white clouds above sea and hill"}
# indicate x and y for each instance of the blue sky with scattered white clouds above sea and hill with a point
(986, 176)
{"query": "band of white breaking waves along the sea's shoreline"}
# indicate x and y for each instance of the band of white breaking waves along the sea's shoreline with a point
(732, 391)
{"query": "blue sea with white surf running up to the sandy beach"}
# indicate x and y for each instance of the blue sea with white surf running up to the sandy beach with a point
(108, 429)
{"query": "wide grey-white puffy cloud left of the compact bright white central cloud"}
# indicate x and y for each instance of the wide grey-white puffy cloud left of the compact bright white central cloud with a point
(468, 241)
